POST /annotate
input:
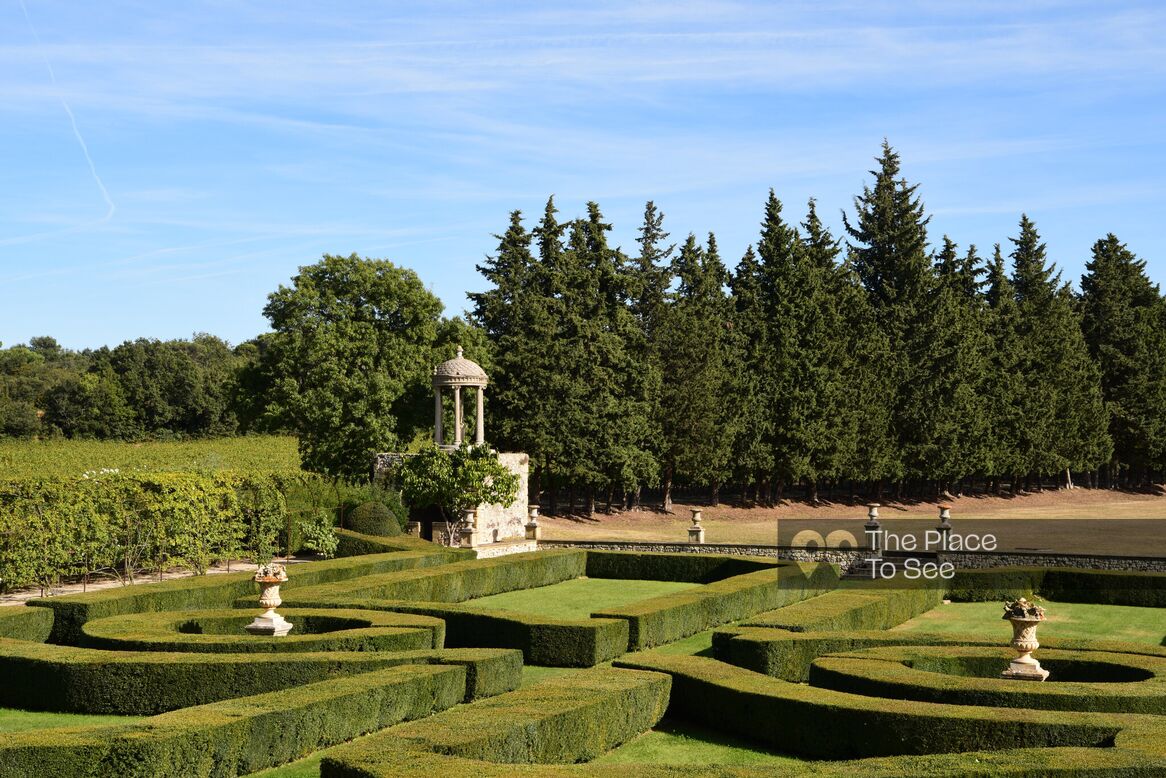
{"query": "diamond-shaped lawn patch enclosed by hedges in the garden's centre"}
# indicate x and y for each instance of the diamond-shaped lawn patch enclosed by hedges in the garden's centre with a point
(579, 598)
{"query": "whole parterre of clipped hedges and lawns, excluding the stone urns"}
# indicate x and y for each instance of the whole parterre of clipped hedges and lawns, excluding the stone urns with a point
(419, 662)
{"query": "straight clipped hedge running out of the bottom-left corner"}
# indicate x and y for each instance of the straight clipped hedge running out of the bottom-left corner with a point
(238, 737)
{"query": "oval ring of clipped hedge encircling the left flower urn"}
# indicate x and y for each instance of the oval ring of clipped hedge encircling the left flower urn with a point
(222, 632)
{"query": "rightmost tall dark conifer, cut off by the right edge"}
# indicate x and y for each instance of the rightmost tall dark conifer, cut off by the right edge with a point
(1126, 330)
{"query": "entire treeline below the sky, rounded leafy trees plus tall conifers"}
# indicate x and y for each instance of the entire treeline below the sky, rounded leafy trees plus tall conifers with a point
(875, 362)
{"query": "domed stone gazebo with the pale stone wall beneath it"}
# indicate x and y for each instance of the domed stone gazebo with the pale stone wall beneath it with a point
(494, 524)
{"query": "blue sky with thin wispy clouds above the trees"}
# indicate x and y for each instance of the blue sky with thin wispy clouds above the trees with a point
(228, 144)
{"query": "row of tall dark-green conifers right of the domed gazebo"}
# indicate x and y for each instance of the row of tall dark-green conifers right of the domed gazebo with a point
(872, 363)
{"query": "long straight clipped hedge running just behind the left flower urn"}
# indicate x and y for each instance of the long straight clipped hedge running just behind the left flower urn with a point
(206, 592)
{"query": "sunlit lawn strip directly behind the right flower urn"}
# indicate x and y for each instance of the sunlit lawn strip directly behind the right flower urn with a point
(1066, 620)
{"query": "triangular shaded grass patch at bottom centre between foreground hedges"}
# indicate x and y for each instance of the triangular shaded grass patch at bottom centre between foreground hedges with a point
(678, 742)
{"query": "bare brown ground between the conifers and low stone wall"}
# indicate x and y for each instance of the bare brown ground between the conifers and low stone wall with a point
(1079, 521)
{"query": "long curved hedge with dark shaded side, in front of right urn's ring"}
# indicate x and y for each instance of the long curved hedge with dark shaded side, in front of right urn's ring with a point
(824, 724)
